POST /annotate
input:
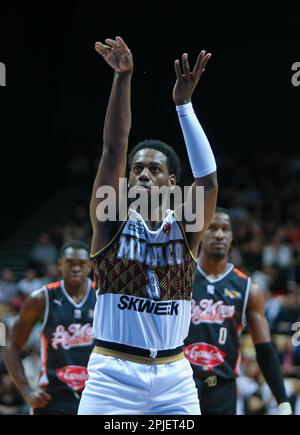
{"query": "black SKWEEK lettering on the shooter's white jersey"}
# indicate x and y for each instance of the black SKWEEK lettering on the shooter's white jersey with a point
(132, 303)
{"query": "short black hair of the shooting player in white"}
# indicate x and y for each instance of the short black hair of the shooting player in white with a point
(173, 161)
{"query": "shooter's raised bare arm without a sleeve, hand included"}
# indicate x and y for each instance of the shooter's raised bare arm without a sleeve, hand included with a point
(116, 131)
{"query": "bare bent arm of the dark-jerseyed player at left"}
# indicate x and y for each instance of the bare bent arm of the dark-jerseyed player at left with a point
(31, 312)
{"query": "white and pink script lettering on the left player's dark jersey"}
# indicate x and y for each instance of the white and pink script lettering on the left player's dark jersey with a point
(75, 335)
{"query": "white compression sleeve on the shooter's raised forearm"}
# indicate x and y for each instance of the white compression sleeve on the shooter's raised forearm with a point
(200, 154)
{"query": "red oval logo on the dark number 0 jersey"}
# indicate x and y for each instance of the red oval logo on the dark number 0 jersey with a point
(204, 354)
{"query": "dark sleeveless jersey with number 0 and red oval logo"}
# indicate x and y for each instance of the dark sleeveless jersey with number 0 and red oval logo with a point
(218, 317)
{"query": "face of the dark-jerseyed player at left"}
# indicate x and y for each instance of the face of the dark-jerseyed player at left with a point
(75, 266)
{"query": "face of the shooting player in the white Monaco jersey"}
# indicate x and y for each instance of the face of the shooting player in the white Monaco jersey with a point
(149, 168)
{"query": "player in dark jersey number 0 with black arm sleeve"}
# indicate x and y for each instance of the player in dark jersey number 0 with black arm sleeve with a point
(224, 299)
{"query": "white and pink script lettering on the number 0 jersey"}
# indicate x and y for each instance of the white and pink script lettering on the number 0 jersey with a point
(209, 311)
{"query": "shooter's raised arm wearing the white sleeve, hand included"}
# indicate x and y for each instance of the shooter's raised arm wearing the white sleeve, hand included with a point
(200, 154)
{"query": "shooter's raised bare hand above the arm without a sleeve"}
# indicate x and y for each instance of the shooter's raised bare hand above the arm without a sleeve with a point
(116, 53)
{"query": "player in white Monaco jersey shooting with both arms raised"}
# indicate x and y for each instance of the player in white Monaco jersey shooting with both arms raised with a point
(144, 270)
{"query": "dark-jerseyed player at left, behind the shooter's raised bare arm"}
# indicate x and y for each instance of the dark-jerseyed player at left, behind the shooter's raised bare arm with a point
(66, 311)
